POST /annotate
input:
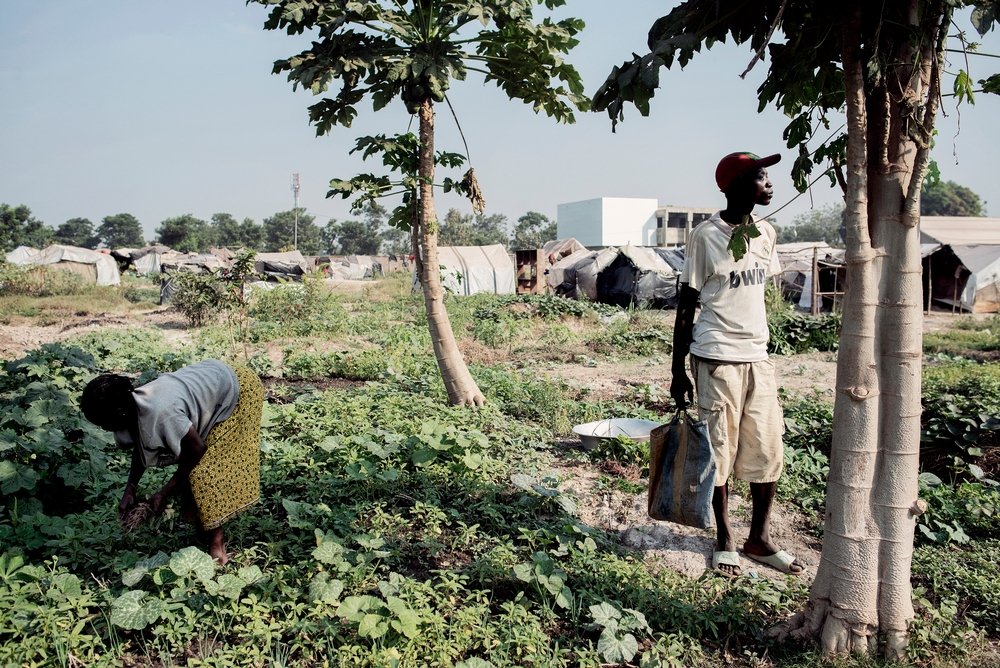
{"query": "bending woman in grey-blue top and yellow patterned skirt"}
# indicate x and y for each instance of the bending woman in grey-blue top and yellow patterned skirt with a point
(205, 418)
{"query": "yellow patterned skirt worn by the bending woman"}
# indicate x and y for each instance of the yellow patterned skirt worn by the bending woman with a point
(227, 479)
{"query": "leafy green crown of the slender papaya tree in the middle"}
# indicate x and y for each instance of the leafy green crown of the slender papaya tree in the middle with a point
(413, 50)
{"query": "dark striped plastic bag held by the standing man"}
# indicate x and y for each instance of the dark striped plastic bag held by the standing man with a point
(681, 473)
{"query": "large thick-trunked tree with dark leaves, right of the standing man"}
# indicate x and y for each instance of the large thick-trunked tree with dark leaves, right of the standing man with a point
(882, 64)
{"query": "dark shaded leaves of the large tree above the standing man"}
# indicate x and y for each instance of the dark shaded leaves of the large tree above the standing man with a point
(804, 78)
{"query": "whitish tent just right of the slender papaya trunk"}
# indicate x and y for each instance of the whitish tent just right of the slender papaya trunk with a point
(468, 270)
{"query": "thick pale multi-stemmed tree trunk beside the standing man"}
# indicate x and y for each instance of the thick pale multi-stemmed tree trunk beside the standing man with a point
(862, 586)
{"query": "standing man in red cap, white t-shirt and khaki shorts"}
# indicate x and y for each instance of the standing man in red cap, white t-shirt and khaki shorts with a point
(733, 378)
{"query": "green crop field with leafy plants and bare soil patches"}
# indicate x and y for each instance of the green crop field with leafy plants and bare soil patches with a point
(395, 530)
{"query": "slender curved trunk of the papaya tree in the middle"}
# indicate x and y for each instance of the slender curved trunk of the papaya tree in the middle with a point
(461, 387)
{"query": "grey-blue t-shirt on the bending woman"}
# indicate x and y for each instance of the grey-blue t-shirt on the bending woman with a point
(201, 395)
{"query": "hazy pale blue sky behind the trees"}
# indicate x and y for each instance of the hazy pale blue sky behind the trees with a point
(165, 108)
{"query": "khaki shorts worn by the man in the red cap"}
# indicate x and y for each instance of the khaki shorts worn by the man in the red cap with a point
(740, 404)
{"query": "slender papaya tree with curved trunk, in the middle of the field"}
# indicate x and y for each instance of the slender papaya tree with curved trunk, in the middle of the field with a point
(411, 51)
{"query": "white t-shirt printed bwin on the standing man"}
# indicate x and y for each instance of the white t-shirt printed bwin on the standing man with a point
(732, 326)
